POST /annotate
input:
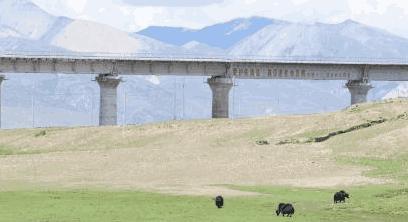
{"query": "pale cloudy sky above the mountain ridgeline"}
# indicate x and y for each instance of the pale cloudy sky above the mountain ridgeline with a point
(134, 15)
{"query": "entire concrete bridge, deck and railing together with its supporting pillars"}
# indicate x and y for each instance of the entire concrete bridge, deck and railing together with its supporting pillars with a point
(221, 71)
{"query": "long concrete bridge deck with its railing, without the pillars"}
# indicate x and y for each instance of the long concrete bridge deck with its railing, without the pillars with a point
(252, 67)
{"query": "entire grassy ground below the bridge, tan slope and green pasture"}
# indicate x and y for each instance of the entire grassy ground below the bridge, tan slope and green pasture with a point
(162, 172)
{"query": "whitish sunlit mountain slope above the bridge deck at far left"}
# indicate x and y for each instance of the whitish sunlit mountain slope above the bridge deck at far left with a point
(24, 25)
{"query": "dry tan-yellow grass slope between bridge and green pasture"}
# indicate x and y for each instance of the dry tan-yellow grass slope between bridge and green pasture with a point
(182, 157)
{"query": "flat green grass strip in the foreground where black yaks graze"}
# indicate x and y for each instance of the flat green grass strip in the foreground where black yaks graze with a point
(372, 203)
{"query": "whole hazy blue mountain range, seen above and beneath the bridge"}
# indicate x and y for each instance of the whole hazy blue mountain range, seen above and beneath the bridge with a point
(72, 100)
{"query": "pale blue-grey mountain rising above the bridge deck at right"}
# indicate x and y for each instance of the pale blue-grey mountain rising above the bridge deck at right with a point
(344, 40)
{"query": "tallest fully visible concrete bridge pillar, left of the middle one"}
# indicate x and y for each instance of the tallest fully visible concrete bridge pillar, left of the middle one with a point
(108, 85)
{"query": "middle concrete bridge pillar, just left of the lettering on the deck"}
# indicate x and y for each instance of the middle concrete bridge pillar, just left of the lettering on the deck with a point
(220, 87)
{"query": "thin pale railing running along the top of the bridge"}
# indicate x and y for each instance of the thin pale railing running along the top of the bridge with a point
(205, 57)
